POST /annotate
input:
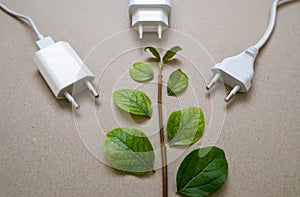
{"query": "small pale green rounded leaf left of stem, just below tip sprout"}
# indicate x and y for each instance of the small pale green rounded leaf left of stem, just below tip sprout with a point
(141, 71)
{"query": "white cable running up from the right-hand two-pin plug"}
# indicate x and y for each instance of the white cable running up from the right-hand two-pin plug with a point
(271, 25)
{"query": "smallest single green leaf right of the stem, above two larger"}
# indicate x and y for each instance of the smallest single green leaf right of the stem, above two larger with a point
(177, 82)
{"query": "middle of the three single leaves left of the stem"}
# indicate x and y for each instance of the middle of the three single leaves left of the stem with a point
(134, 102)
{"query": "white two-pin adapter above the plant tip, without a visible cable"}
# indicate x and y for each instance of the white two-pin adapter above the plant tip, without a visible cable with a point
(150, 16)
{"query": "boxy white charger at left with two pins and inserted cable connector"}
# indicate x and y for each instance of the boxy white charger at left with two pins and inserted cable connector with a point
(63, 70)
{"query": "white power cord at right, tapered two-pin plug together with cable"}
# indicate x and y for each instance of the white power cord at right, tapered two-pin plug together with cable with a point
(237, 71)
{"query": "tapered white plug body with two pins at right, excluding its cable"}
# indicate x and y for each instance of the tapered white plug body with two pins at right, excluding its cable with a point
(236, 72)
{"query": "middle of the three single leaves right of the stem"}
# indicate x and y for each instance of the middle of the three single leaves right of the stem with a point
(186, 126)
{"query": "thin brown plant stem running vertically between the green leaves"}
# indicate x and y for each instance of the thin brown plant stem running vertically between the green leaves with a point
(161, 132)
